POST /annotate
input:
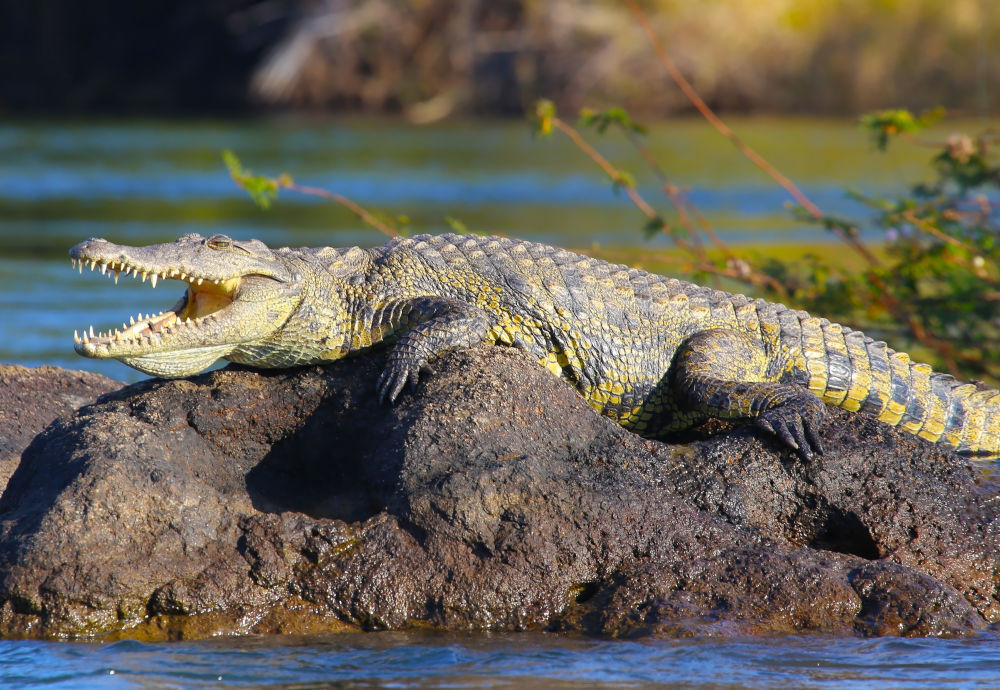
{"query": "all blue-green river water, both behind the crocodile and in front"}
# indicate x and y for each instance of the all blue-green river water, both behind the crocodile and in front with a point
(150, 182)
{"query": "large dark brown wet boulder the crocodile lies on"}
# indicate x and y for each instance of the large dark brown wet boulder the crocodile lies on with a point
(492, 497)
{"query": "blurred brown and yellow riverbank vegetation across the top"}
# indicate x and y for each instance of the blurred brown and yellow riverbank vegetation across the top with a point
(428, 59)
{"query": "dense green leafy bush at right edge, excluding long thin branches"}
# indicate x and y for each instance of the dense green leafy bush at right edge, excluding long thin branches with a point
(936, 289)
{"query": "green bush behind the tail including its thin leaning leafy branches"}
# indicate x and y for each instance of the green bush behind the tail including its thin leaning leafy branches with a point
(932, 288)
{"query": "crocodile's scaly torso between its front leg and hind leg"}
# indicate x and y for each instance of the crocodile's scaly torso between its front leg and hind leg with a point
(608, 329)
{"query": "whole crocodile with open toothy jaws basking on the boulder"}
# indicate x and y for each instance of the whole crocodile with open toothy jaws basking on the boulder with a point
(655, 354)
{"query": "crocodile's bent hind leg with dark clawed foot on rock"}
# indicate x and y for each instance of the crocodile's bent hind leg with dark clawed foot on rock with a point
(729, 374)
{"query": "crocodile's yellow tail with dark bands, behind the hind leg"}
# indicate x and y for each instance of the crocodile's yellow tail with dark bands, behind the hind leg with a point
(850, 370)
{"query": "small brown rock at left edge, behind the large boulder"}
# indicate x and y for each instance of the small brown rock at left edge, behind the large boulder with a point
(30, 399)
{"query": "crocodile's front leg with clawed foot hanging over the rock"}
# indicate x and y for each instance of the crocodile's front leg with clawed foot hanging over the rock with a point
(427, 326)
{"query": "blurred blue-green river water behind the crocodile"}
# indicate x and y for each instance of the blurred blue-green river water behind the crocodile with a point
(150, 182)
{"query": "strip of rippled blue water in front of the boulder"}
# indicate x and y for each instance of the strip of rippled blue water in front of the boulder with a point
(530, 660)
